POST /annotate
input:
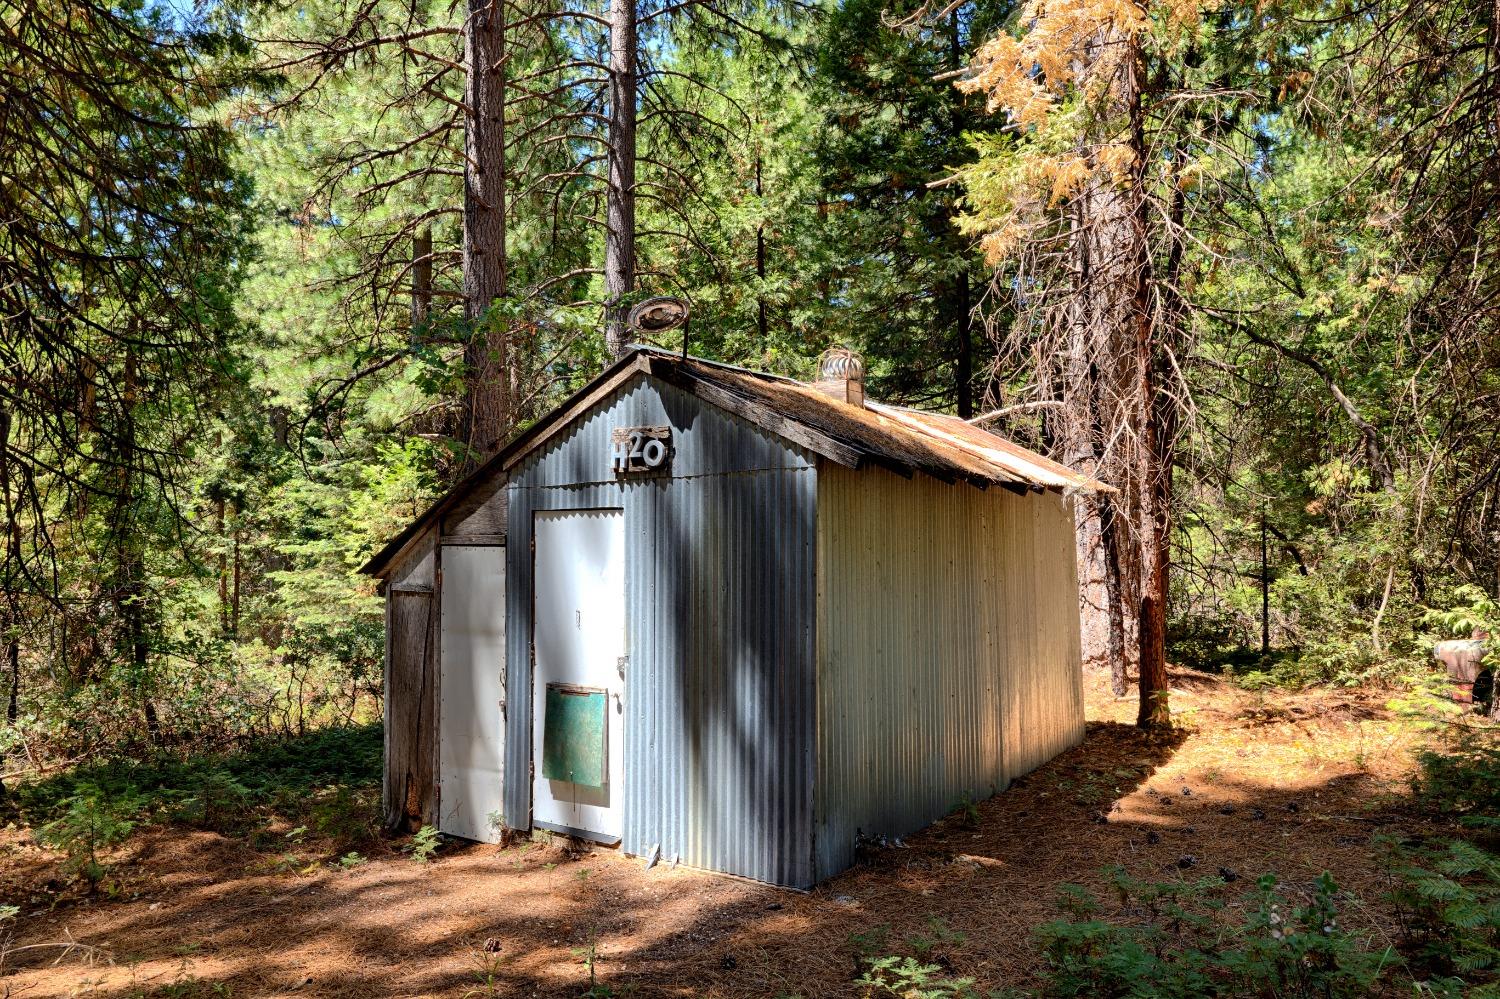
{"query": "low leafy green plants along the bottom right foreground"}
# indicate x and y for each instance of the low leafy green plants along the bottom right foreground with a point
(1187, 940)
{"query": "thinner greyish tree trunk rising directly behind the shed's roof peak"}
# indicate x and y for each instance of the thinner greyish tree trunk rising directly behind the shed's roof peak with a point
(620, 223)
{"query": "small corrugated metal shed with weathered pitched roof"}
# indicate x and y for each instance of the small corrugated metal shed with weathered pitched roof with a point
(829, 632)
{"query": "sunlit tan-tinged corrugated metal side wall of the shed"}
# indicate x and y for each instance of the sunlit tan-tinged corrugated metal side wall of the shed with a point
(947, 650)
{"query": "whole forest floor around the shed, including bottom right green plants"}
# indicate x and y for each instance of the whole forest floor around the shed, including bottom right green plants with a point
(1148, 847)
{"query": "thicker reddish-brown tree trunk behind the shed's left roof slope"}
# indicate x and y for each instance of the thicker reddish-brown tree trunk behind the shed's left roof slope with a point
(487, 358)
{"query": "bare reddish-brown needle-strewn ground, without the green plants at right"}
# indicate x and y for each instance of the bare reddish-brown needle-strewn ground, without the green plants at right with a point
(1249, 784)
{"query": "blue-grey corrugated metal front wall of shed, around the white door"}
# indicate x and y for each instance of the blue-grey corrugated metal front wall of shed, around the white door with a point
(719, 601)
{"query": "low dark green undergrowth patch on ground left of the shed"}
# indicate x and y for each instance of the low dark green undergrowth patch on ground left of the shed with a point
(326, 784)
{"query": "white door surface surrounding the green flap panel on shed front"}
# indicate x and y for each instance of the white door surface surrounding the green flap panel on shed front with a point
(580, 641)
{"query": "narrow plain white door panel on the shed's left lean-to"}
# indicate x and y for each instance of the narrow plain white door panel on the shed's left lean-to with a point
(472, 689)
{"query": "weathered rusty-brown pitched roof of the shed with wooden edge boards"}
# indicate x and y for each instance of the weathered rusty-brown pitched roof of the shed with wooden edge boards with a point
(898, 439)
